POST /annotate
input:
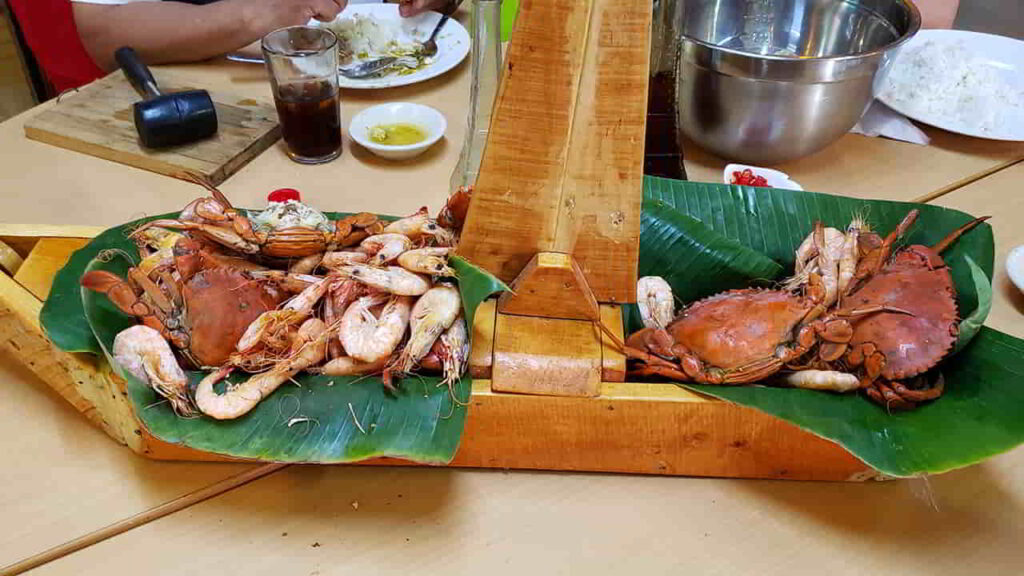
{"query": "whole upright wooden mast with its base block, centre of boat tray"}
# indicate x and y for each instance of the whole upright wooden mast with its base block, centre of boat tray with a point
(557, 208)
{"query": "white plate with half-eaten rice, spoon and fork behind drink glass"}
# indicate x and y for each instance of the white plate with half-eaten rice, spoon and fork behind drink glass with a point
(453, 46)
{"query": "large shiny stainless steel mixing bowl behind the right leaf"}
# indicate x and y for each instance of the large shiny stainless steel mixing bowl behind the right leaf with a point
(767, 81)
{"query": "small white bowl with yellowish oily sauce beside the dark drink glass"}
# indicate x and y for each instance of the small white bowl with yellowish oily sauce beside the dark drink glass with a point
(432, 121)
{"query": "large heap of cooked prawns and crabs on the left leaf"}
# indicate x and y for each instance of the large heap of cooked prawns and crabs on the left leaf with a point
(281, 292)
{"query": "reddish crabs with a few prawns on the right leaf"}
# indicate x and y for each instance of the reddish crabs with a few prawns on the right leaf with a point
(894, 319)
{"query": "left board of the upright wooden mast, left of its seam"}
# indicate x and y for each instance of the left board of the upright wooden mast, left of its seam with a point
(517, 198)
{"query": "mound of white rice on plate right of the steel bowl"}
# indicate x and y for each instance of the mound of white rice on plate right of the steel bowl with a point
(932, 80)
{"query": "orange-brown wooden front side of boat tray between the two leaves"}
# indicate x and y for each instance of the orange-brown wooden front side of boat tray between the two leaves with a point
(656, 429)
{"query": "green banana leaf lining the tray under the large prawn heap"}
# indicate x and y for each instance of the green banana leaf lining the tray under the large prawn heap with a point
(325, 420)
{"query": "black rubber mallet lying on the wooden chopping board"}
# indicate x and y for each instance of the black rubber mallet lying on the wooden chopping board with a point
(164, 120)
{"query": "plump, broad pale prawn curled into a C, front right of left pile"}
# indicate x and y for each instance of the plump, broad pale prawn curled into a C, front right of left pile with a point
(371, 339)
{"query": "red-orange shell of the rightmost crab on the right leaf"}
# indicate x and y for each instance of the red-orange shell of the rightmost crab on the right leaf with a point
(918, 281)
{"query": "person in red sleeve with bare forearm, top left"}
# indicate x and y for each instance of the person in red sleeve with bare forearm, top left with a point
(74, 40)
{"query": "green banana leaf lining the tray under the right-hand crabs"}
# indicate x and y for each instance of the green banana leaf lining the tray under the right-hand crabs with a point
(979, 415)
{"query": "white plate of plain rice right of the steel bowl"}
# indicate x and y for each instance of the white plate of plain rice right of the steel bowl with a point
(997, 56)
